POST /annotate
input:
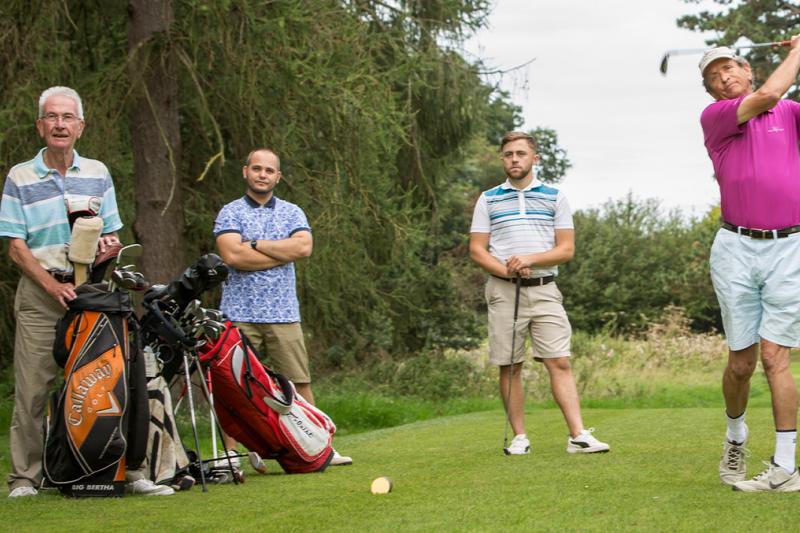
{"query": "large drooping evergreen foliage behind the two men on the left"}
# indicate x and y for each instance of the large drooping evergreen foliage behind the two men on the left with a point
(369, 107)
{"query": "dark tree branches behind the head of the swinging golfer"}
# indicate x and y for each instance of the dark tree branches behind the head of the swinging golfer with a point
(740, 22)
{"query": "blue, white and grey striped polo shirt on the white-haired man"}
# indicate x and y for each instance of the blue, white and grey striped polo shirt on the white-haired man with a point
(35, 200)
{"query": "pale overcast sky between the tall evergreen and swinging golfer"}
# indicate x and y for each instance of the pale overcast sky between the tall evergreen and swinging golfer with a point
(595, 80)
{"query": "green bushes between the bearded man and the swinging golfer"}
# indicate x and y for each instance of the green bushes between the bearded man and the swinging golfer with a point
(633, 261)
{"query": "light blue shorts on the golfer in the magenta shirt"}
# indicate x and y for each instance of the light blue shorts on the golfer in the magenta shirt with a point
(757, 282)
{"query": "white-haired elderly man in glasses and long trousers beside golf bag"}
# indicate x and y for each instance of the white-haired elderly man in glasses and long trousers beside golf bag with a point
(37, 195)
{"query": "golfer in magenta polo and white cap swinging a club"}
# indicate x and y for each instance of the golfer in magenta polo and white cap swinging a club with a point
(751, 137)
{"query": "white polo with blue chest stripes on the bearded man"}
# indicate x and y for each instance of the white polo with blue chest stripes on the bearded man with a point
(522, 221)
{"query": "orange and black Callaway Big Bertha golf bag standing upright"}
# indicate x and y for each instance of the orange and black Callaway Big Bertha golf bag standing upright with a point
(98, 420)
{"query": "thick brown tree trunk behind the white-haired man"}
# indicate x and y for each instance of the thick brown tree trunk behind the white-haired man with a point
(156, 139)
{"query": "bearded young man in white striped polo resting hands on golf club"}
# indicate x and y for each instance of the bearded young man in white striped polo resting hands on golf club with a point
(521, 230)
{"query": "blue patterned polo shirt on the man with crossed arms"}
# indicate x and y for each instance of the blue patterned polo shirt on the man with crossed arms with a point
(263, 296)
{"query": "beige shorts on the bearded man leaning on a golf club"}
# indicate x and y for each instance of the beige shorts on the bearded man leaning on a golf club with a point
(541, 317)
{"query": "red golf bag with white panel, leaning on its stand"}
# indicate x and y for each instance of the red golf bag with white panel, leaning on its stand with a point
(261, 408)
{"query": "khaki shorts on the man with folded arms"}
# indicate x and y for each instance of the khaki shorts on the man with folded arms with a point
(282, 347)
